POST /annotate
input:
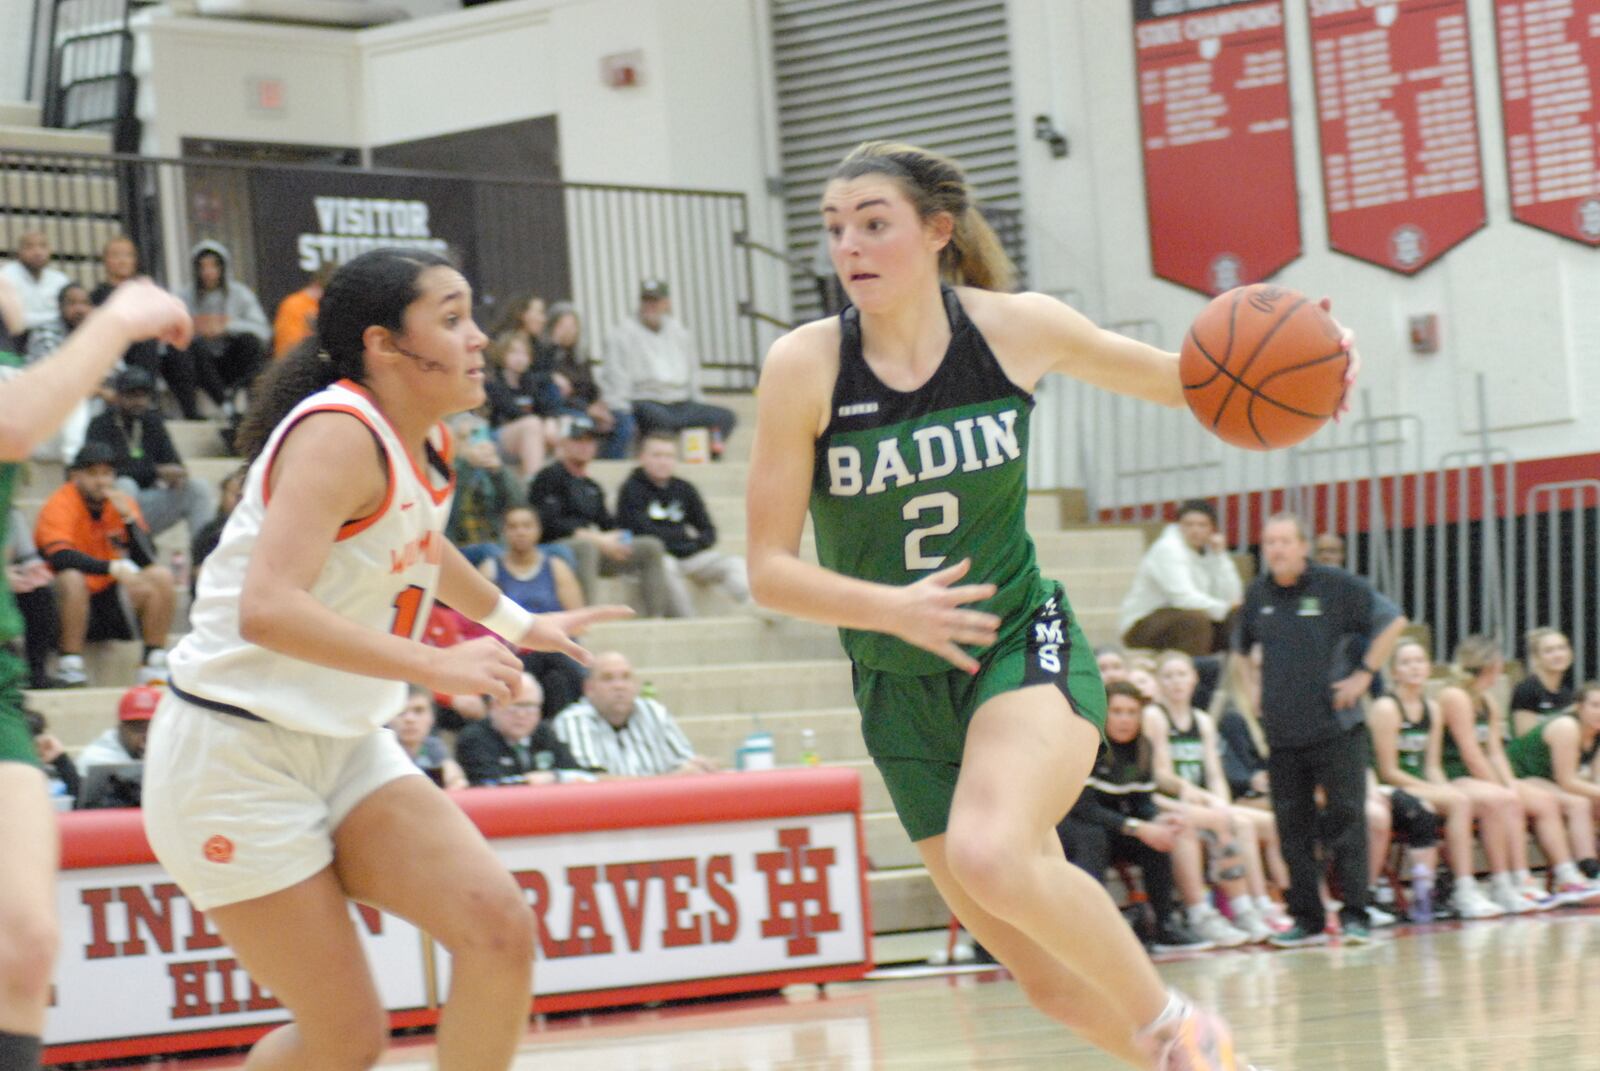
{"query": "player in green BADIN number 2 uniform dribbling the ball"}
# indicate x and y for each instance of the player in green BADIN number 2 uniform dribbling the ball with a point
(903, 425)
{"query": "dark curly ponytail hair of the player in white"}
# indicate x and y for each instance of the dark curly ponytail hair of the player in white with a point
(372, 291)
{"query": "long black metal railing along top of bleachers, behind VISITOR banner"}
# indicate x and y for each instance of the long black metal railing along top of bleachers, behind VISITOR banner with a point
(585, 243)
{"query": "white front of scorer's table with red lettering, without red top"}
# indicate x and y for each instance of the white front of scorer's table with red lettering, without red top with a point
(615, 910)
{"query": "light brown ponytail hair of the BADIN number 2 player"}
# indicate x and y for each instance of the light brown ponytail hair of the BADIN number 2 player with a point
(937, 185)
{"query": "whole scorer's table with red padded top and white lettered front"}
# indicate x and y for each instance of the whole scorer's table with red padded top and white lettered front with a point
(641, 891)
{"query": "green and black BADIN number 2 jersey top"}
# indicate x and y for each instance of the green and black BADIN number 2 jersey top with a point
(911, 483)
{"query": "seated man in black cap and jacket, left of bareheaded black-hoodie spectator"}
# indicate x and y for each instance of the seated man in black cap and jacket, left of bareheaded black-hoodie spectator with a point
(572, 510)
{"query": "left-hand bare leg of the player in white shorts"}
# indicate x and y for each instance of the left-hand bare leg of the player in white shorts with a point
(302, 945)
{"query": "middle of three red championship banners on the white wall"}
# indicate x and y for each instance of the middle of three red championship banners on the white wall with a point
(1399, 129)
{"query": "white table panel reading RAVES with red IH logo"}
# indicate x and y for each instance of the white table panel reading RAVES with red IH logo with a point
(646, 907)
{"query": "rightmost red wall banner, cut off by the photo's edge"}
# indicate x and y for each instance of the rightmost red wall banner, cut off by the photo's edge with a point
(1550, 66)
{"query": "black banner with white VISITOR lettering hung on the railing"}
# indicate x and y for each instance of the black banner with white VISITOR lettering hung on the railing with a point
(319, 219)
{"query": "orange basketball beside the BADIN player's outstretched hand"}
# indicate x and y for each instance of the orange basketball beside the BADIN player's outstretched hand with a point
(1263, 367)
